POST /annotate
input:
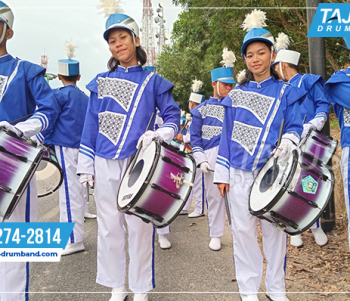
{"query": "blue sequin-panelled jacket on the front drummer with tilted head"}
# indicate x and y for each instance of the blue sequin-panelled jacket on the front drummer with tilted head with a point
(120, 107)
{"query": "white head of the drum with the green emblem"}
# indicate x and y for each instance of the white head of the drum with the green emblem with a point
(269, 185)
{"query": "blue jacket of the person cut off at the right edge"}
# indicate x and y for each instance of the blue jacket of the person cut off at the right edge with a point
(337, 90)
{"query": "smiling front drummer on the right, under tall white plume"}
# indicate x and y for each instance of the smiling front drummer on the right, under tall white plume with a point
(253, 114)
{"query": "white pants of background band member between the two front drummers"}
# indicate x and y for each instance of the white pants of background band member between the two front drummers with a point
(216, 203)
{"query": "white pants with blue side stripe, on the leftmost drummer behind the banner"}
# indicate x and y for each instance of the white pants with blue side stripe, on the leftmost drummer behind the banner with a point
(14, 276)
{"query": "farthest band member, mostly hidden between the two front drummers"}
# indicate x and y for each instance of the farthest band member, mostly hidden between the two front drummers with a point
(198, 190)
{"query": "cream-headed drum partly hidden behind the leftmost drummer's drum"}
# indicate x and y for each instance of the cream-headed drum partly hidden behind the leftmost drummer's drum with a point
(49, 175)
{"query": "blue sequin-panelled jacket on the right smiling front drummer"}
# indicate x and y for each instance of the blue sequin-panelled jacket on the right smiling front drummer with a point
(253, 115)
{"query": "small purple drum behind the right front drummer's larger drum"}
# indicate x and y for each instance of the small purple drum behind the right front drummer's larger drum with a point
(319, 146)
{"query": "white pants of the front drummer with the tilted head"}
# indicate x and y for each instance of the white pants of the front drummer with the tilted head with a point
(111, 255)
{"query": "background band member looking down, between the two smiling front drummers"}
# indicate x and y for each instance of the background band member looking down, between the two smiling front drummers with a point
(206, 129)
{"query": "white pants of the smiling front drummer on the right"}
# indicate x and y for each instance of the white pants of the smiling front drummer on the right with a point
(247, 254)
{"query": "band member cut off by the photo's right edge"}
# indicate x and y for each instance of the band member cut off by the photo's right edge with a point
(337, 91)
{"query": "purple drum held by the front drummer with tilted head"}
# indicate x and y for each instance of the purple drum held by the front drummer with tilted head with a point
(158, 186)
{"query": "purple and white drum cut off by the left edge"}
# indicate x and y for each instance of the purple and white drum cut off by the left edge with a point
(19, 158)
